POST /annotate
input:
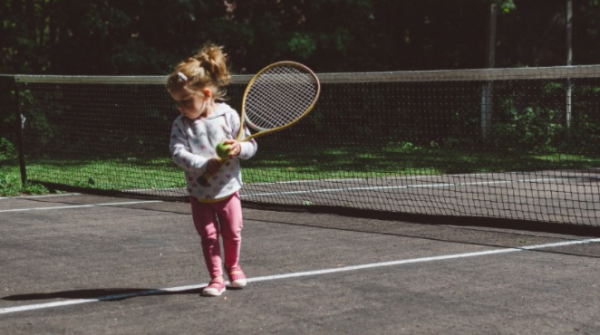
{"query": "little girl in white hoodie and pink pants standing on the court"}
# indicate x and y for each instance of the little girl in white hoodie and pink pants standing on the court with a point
(197, 86)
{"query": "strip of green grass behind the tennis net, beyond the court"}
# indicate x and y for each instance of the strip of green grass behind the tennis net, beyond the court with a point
(349, 161)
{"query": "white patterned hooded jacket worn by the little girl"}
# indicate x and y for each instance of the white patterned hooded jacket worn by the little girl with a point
(193, 143)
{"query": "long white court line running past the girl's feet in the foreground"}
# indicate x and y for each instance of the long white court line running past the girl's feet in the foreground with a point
(33, 307)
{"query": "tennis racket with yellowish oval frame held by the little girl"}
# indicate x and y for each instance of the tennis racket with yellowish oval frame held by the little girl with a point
(277, 97)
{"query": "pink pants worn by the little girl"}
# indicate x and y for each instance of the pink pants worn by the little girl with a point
(212, 219)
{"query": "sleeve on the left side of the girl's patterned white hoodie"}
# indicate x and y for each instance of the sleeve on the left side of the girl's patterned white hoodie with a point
(180, 150)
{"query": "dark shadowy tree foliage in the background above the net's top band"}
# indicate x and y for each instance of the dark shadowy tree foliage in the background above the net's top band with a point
(147, 37)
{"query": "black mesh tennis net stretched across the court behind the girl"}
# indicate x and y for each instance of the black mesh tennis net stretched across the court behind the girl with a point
(502, 143)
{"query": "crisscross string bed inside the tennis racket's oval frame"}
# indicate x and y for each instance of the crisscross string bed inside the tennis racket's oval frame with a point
(279, 96)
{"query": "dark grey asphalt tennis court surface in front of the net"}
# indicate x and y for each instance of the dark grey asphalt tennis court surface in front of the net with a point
(83, 264)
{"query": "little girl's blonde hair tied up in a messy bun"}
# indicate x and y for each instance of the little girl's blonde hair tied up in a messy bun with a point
(207, 69)
